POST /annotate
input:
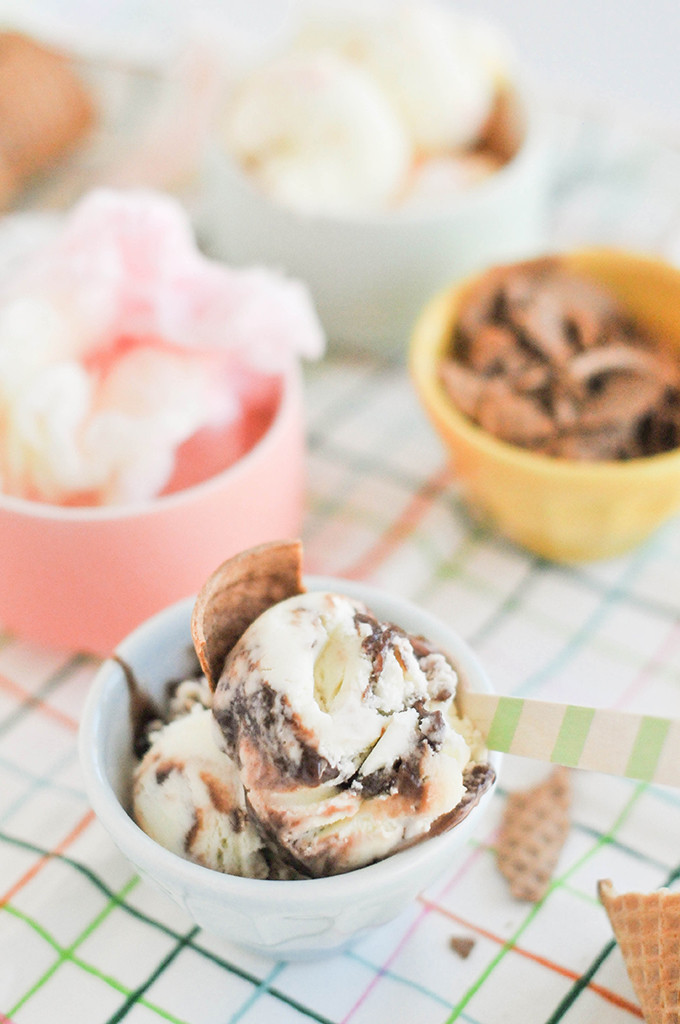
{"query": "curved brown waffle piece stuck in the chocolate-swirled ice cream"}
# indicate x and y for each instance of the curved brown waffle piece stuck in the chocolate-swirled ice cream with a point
(239, 591)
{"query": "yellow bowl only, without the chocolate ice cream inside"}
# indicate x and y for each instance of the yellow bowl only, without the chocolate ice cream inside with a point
(559, 508)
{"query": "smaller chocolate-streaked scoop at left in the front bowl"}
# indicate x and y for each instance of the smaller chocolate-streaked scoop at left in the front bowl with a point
(188, 797)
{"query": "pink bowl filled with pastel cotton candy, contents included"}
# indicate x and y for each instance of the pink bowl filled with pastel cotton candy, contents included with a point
(151, 418)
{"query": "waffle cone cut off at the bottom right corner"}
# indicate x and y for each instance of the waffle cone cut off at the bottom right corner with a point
(648, 930)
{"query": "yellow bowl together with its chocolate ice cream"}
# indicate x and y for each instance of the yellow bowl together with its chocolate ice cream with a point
(555, 387)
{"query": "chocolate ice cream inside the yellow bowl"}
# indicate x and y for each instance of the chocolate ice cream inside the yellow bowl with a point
(552, 361)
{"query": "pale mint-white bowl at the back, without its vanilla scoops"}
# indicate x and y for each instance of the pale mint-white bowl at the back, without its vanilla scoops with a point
(370, 276)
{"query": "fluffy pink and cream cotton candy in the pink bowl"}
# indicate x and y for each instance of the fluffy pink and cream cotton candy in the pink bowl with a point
(120, 343)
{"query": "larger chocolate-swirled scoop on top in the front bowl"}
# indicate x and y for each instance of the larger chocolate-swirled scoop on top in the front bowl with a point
(346, 734)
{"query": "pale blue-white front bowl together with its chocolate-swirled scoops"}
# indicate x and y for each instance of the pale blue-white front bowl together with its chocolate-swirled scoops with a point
(287, 814)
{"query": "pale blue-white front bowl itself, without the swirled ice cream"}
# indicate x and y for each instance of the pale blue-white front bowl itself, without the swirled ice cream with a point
(284, 920)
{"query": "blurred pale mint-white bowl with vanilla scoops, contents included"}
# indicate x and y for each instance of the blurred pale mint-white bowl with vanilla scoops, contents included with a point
(381, 152)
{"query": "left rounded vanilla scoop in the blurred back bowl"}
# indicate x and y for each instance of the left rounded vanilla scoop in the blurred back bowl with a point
(317, 134)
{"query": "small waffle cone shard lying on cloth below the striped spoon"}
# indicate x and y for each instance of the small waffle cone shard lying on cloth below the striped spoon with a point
(535, 827)
